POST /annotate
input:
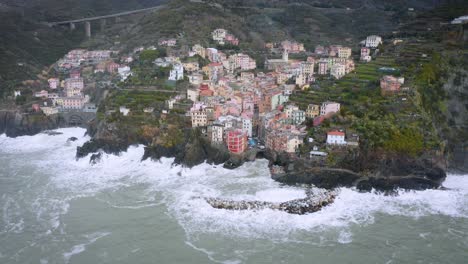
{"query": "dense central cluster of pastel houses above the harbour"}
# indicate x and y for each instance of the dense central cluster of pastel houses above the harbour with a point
(239, 108)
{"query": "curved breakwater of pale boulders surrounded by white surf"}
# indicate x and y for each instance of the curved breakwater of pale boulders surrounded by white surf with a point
(316, 199)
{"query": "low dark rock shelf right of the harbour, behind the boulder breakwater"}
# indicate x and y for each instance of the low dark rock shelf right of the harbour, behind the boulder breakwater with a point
(387, 174)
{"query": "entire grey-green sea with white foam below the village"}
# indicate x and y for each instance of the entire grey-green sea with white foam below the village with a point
(55, 209)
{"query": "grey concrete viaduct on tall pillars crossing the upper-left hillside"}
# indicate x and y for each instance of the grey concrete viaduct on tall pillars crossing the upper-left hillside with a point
(102, 19)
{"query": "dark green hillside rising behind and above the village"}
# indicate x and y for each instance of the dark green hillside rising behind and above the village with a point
(26, 46)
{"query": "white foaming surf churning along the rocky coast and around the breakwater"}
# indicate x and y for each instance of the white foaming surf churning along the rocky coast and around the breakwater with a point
(181, 191)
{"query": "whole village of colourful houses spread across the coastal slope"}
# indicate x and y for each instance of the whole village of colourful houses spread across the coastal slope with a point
(229, 99)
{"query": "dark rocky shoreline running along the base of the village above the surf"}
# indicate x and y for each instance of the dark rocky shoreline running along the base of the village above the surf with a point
(383, 174)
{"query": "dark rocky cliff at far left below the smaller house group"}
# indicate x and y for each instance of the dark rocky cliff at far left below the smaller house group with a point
(15, 124)
